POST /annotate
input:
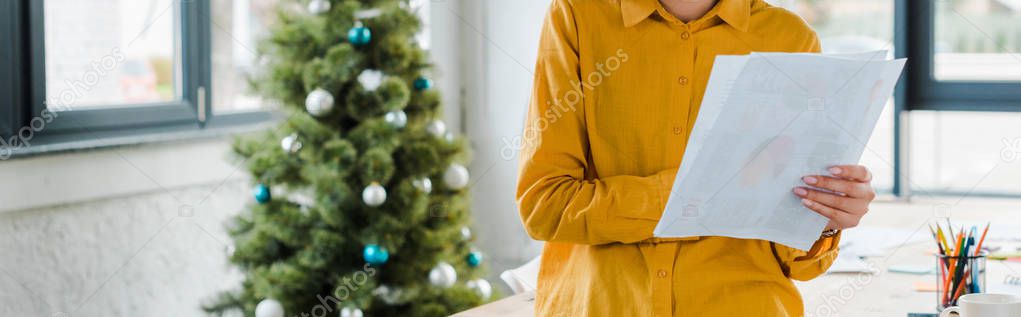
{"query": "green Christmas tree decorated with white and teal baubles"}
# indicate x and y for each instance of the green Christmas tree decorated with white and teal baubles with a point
(360, 205)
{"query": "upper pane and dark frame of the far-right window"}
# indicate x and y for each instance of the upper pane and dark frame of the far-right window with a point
(961, 56)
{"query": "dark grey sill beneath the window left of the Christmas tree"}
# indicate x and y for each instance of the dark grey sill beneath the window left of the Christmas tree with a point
(219, 126)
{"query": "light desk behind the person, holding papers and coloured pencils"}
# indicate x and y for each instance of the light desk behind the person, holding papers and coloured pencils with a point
(885, 294)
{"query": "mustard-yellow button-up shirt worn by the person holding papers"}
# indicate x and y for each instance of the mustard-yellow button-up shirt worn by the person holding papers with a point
(618, 84)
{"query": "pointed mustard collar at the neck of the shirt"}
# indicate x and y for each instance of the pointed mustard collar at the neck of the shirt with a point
(735, 13)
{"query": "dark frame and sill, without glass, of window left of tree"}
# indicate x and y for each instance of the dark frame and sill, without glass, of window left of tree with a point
(23, 92)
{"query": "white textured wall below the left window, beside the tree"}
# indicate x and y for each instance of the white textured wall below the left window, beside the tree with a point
(127, 232)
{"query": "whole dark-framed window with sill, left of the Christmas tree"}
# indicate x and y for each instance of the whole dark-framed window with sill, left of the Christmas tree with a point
(116, 72)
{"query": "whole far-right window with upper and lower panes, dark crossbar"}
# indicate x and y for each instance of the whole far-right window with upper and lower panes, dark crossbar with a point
(962, 66)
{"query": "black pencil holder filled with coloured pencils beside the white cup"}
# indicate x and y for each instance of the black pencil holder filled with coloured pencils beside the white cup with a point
(959, 276)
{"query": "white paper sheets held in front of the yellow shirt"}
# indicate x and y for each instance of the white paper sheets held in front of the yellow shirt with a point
(767, 120)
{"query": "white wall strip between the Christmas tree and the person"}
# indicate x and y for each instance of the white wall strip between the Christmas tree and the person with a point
(500, 46)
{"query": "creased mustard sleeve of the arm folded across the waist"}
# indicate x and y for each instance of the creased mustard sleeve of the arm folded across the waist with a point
(559, 196)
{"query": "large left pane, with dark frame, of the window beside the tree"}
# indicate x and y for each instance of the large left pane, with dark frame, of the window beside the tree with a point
(115, 65)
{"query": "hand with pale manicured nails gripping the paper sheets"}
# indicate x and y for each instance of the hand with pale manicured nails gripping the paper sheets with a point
(850, 194)
